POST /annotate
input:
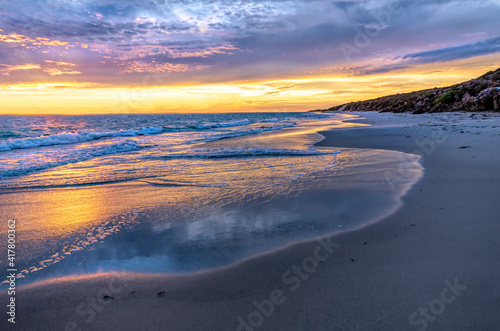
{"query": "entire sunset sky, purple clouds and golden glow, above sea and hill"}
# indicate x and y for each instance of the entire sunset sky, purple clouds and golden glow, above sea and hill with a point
(107, 56)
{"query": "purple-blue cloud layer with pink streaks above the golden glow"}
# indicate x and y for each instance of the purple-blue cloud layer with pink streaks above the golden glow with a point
(110, 41)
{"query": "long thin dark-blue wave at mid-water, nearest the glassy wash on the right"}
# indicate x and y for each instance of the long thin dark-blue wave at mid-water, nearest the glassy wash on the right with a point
(223, 153)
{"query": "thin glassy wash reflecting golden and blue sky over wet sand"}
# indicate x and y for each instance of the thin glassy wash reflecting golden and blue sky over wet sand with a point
(211, 206)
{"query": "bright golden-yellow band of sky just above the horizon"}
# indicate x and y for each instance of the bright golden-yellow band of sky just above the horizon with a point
(296, 94)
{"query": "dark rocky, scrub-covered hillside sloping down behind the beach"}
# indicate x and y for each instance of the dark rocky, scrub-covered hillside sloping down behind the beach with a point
(481, 94)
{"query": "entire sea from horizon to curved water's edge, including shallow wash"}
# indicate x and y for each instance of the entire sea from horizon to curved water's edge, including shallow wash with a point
(180, 192)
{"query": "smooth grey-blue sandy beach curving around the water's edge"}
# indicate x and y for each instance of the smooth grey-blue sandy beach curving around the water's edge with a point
(433, 264)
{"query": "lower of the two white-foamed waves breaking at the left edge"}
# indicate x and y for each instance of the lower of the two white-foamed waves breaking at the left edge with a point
(84, 155)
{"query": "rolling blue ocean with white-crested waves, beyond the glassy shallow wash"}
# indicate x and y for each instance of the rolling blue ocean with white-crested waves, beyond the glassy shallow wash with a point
(30, 144)
